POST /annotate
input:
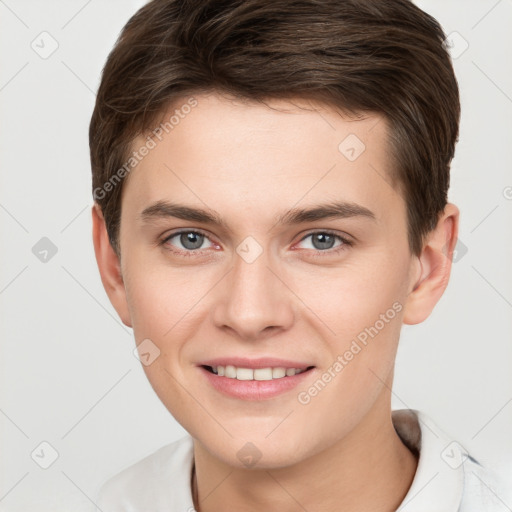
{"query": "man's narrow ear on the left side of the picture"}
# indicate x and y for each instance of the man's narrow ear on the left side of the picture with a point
(109, 266)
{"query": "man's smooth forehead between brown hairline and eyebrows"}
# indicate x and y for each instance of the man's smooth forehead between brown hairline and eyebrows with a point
(240, 155)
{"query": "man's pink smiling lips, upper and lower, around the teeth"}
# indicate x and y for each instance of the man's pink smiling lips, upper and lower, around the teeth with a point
(254, 389)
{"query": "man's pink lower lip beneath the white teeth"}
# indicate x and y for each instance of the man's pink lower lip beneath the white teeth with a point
(254, 389)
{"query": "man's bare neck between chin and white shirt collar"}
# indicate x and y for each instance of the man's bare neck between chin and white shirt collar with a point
(370, 469)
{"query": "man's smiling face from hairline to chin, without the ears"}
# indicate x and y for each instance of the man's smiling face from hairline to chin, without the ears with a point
(259, 288)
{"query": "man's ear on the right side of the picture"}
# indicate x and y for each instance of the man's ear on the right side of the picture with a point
(435, 263)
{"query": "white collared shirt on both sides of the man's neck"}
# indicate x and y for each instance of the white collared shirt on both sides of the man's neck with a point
(447, 479)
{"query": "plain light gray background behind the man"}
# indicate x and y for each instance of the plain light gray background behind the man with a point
(67, 372)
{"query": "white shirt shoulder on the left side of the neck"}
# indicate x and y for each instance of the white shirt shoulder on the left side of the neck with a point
(158, 482)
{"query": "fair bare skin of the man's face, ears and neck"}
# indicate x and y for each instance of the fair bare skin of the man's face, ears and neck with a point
(251, 163)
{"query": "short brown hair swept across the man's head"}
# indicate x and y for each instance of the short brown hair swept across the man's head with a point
(387, 57)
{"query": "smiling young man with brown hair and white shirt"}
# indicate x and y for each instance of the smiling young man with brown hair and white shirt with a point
(271, 206)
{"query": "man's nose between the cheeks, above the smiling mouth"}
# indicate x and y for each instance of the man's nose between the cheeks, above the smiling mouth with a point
(254, 301)
